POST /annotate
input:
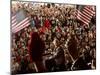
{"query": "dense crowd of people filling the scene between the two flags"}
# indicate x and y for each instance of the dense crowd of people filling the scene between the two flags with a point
(69, 44)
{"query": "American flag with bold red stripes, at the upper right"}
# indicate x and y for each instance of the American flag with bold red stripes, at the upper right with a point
(86, 14)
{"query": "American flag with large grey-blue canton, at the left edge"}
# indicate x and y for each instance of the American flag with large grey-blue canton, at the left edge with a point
(19, 21)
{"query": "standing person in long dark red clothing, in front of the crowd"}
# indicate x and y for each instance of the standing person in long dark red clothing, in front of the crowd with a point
(36, 48)
